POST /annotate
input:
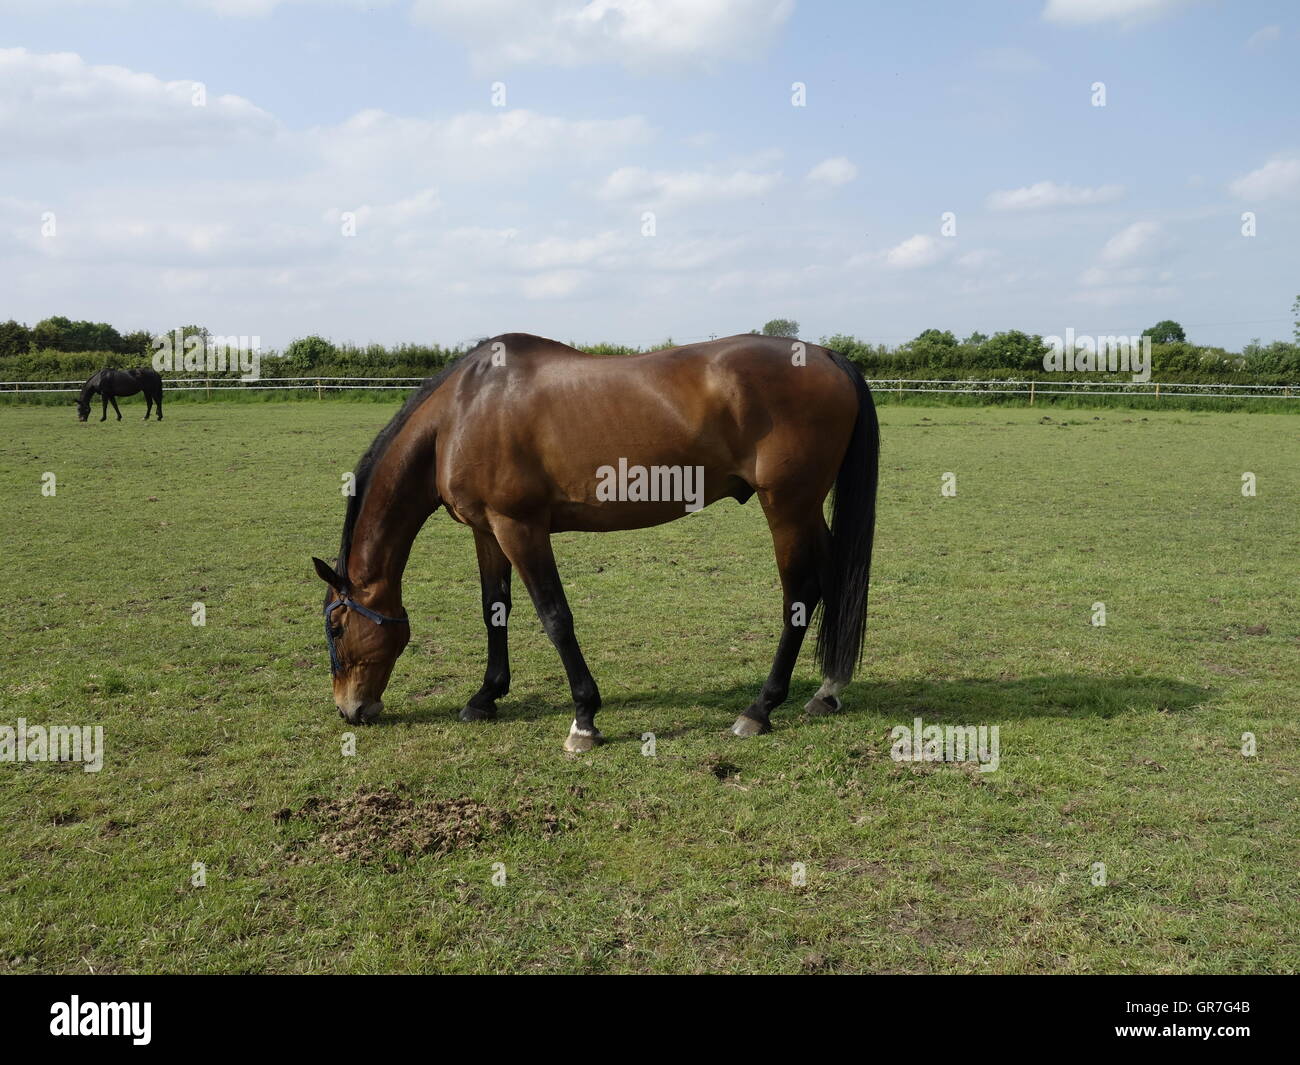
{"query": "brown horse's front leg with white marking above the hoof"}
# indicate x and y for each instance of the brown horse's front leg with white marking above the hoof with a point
(528, 547)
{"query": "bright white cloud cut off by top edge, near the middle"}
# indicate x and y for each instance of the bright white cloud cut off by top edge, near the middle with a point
(640, 34)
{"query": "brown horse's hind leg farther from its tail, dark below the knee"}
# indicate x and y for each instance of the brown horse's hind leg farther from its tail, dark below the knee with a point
(803, 543)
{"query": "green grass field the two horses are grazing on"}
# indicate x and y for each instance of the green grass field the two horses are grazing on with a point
(1120, 744)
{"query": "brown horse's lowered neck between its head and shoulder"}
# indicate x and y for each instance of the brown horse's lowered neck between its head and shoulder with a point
(397, 504)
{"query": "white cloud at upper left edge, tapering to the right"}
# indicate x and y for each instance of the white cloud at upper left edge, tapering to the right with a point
(57, 105)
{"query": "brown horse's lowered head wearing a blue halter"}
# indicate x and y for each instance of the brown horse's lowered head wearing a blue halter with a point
(363, 648)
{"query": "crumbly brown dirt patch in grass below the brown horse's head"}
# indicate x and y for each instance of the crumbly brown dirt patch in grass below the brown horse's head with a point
(383, 826)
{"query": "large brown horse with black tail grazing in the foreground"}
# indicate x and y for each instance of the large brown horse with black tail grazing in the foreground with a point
(526, 438)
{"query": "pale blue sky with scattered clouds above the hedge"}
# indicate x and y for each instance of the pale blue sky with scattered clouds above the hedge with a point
(630, 171)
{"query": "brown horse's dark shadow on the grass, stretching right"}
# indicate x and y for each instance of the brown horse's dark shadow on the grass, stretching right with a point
(961, 702)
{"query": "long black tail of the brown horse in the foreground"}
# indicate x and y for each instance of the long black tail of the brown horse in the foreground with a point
(853, 525)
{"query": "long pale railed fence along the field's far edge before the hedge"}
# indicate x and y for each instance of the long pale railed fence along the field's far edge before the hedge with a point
(951, 387)
